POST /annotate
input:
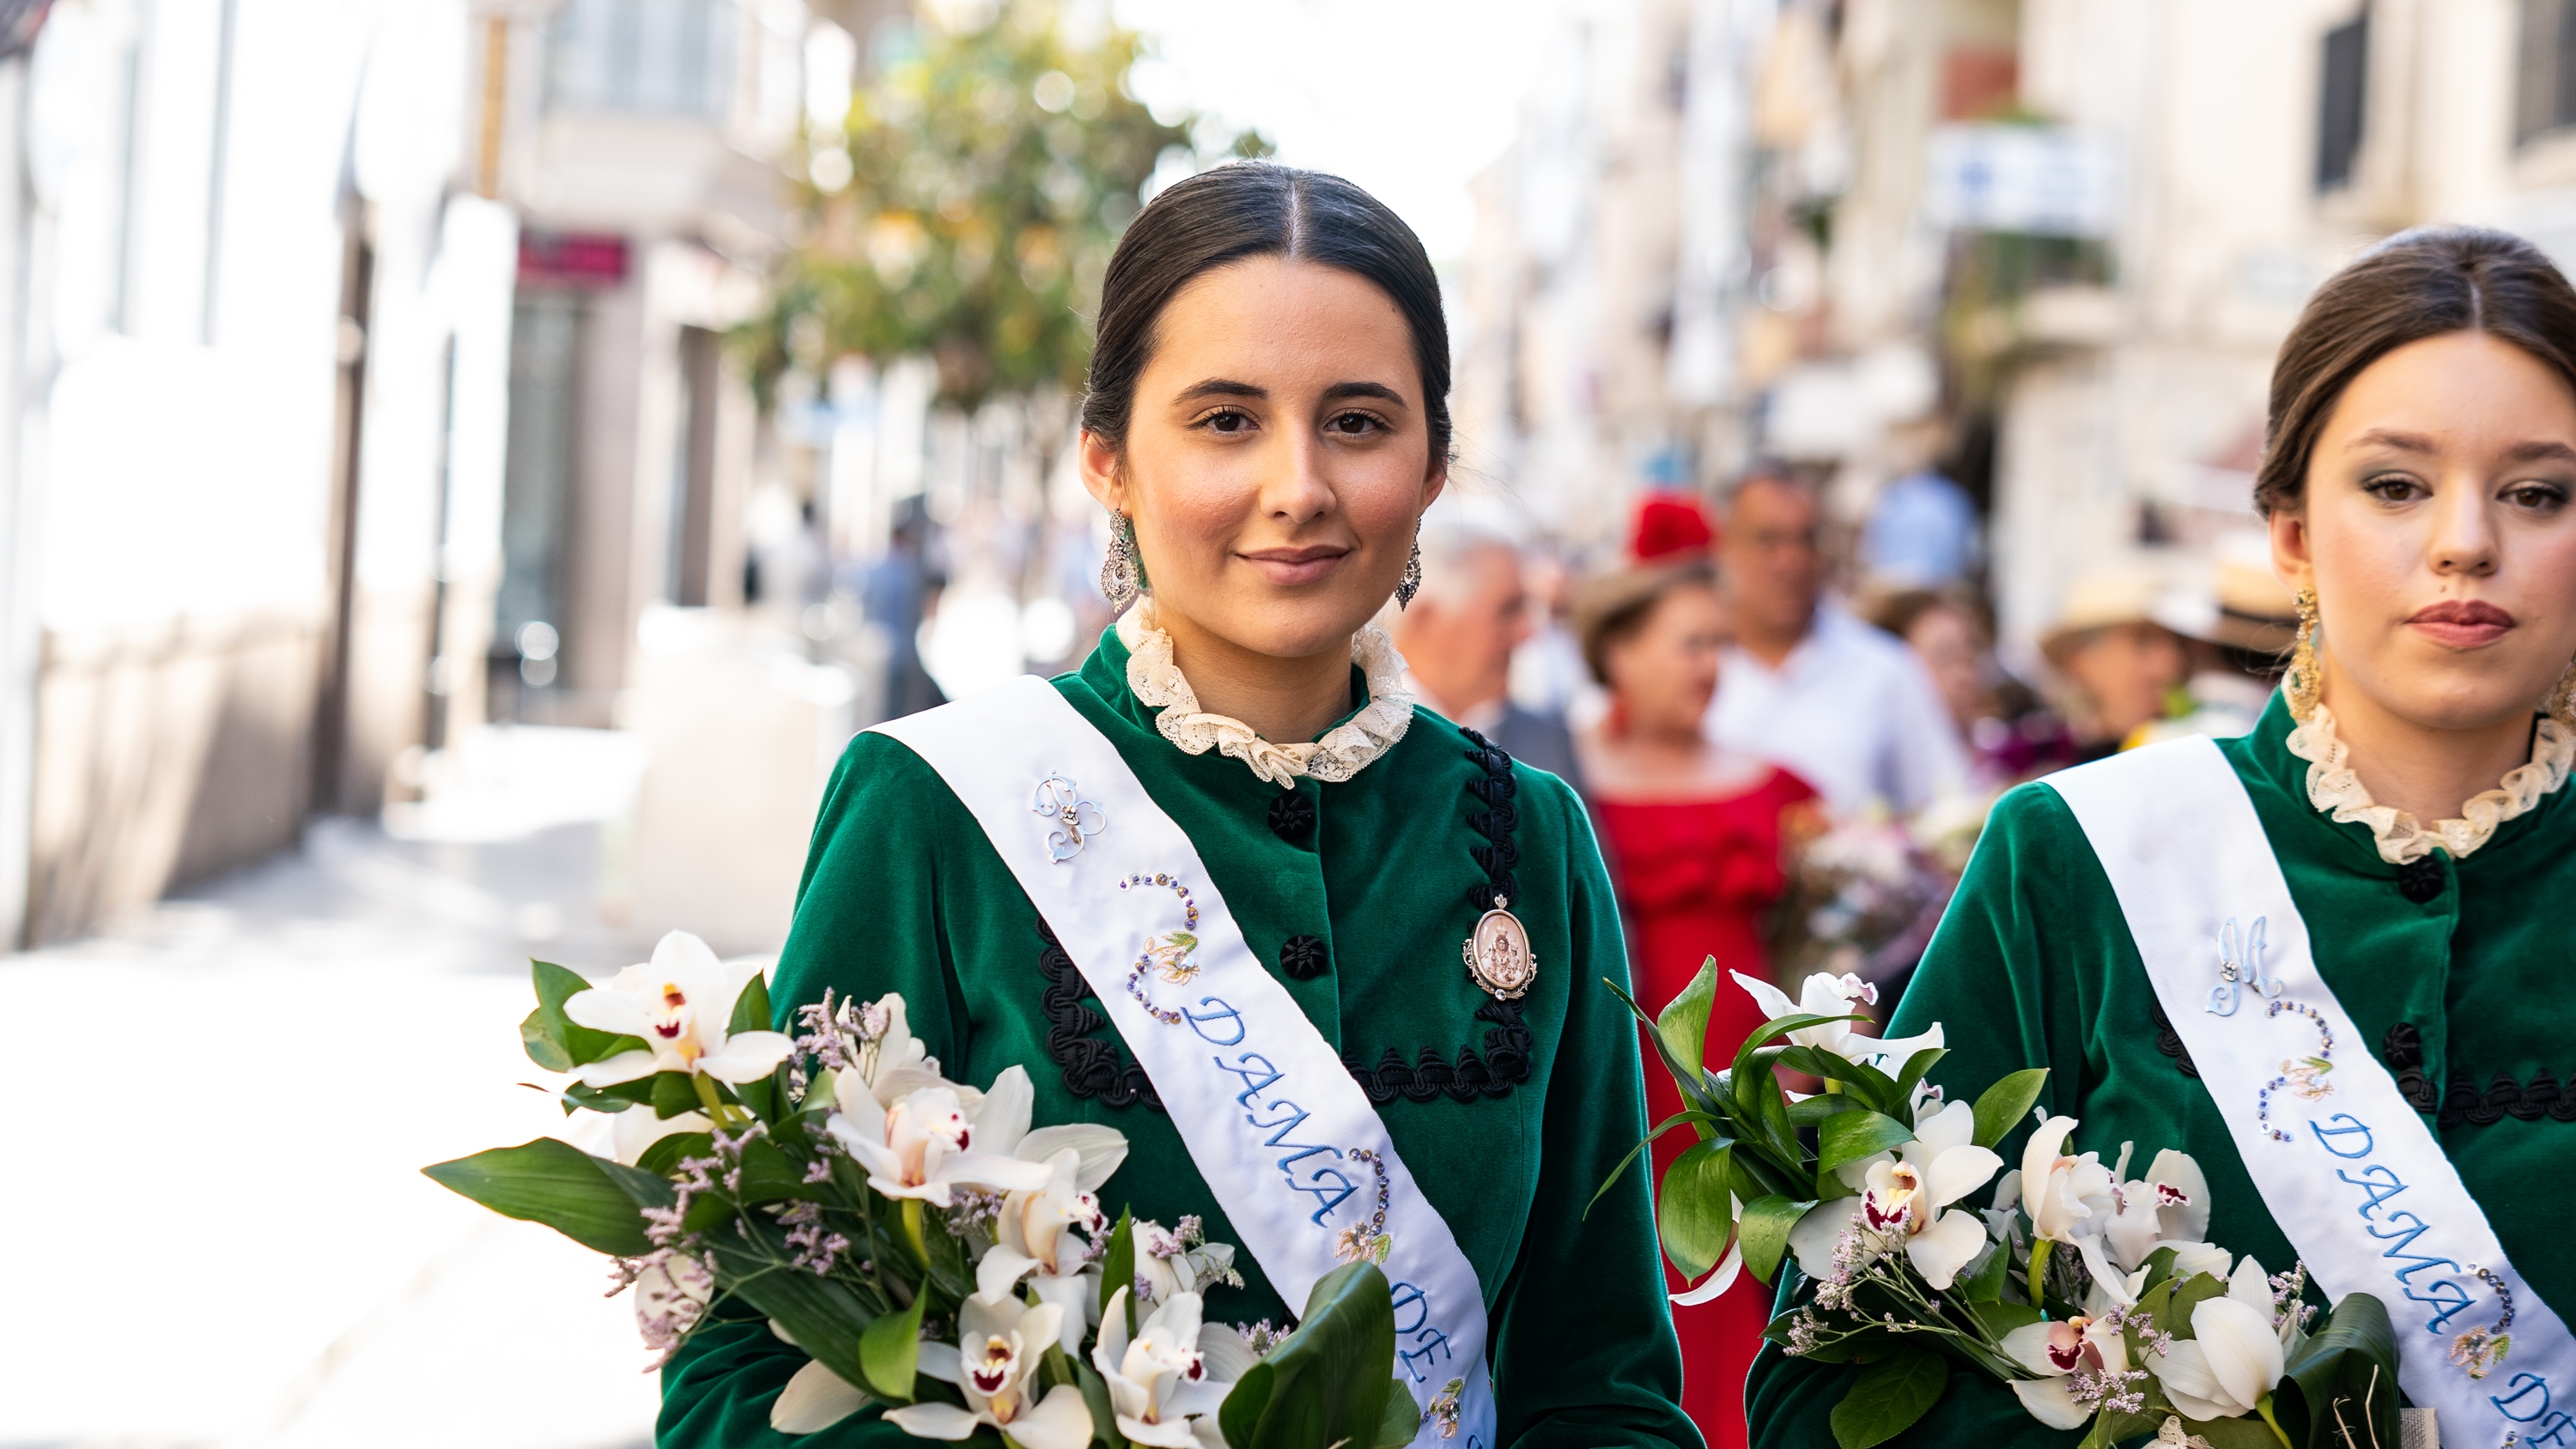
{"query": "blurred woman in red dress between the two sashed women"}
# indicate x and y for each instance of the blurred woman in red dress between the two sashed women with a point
(1694, 845)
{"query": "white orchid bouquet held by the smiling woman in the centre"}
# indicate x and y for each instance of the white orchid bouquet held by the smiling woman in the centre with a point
(916, 1237)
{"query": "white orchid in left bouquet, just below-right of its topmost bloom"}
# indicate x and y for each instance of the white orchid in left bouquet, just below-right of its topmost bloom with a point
(926, 1144)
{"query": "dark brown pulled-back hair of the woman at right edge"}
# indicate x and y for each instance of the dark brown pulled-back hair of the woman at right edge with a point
(2412, 287)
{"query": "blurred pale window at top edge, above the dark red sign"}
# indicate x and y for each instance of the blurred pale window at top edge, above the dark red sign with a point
(666, 58)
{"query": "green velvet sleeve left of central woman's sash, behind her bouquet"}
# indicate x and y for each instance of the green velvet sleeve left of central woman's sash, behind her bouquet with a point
(867, 910)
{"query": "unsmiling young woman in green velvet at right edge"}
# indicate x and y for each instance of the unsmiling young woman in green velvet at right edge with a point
(2376, 879)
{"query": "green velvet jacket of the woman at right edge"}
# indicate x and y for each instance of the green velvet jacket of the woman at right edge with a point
(2034, 966)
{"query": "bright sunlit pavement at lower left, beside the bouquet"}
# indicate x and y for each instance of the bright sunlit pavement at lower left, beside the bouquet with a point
(215, 1214)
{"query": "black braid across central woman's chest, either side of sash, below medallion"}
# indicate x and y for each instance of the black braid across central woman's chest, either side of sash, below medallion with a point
(1094, 1067)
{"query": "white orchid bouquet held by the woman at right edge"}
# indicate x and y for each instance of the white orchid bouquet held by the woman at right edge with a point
(2093, 1293)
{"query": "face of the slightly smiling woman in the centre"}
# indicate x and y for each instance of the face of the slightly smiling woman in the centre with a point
(1279, 457)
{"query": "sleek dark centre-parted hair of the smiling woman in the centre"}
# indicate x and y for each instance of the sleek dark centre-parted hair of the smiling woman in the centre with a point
(1258, 210)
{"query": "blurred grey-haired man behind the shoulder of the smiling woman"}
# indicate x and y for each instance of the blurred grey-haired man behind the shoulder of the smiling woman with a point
(1459, 640)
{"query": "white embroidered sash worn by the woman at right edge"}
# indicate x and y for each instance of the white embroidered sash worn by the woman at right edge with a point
(2345, 1165)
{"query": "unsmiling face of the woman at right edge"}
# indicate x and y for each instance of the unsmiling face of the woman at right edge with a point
(2438, 534)
